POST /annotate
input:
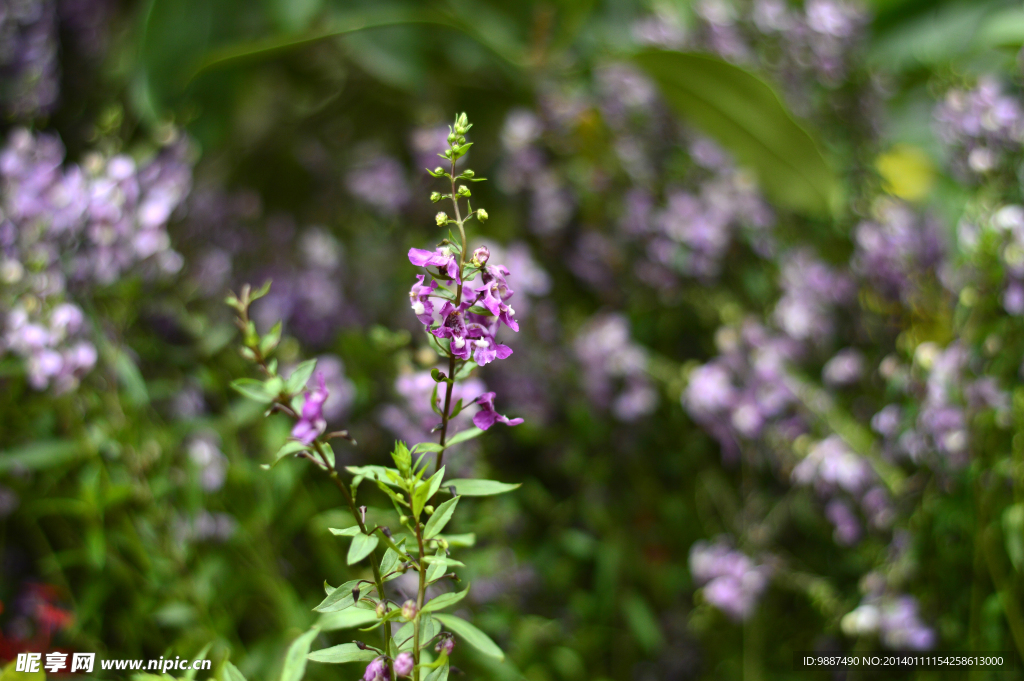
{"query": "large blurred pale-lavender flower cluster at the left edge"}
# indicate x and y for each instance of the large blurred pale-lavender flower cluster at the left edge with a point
(66, 229)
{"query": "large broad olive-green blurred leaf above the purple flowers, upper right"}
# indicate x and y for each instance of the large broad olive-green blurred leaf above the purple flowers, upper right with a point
(745, 115)
